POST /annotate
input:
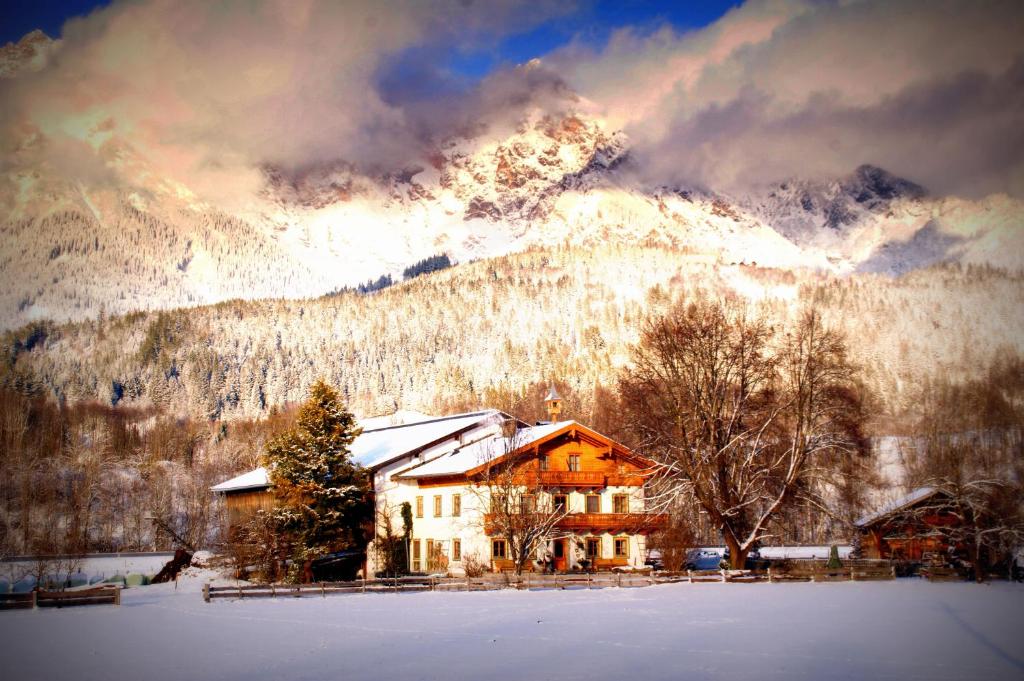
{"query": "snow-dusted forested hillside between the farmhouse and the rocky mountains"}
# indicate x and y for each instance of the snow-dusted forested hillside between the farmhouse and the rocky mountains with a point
(452, 338)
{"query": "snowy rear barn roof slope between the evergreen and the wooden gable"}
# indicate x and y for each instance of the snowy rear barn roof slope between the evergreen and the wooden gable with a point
(378, 447)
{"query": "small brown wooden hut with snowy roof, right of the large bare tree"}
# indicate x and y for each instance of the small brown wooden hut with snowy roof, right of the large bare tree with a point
(907, 529)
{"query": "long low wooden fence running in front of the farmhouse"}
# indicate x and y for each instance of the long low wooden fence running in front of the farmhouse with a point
(807, 573)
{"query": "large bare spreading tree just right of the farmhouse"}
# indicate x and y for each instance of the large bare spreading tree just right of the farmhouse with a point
(743, 420)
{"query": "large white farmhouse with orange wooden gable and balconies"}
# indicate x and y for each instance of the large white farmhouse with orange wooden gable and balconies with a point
(443, 469)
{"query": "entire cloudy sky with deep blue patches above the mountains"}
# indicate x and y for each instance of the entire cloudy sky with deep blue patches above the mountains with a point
(713, 95)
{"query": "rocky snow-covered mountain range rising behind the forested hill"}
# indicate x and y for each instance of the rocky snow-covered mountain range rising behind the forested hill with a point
(129, 237)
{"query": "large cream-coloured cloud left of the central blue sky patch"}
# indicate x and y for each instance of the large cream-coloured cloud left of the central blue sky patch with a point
(204, 91)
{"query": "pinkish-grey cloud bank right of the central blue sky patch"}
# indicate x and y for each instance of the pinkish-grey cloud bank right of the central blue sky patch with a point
(931, 91)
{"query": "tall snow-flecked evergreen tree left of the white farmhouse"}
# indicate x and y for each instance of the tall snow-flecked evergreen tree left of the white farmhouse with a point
(323, 501)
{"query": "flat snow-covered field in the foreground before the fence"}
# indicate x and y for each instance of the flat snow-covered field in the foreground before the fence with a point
(900, 630)
